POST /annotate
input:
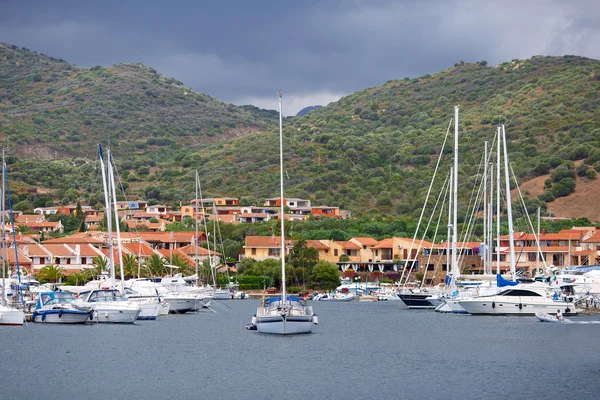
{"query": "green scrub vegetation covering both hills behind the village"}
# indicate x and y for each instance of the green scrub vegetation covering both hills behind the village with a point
(372, 152)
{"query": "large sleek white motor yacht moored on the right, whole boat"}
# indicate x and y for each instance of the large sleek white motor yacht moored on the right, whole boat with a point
(517, 301)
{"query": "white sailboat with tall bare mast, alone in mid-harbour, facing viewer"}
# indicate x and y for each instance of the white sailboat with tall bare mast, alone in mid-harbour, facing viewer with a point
(283, 315)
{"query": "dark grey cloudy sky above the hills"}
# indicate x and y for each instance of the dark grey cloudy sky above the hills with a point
(244, 51)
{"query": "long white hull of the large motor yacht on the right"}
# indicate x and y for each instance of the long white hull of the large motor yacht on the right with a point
(496, 306)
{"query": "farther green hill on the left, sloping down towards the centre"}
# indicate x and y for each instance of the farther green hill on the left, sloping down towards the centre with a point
(49, 107)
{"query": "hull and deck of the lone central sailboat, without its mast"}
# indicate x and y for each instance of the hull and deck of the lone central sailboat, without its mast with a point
(290, 317)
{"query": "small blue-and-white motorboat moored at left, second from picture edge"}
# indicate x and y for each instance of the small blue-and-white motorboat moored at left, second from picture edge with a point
(60, 308)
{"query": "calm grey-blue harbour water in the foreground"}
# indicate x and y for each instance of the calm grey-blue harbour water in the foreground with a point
(359, 351)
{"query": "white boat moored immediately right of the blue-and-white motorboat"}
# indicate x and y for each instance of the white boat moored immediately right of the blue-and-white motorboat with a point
(109, 305)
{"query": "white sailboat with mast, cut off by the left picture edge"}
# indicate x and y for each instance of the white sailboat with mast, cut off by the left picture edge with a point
(8, 315)
